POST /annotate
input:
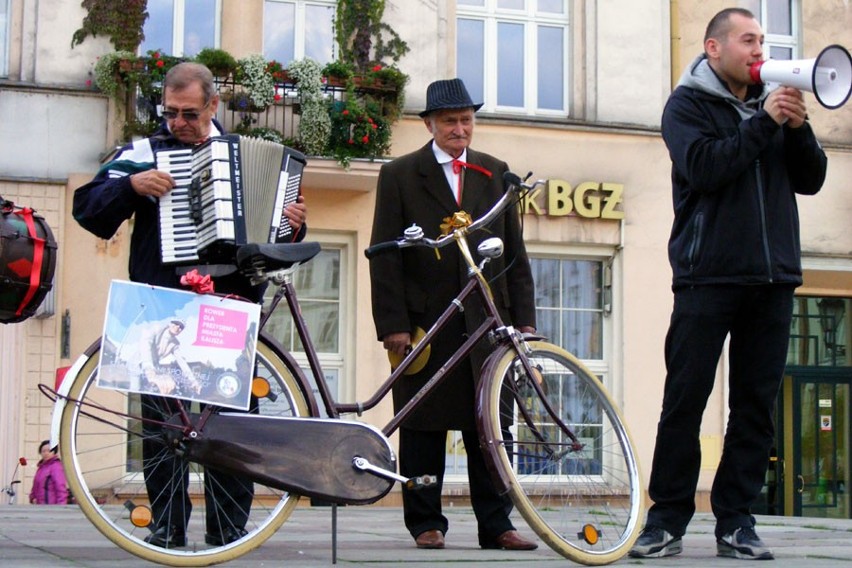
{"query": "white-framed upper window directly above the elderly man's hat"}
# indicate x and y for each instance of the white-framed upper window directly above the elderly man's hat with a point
(527, 45)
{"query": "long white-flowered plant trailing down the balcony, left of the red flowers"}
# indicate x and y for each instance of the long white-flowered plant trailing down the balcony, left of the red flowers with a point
(315, 123)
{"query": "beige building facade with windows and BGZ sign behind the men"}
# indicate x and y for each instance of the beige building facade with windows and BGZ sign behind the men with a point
(573, 91)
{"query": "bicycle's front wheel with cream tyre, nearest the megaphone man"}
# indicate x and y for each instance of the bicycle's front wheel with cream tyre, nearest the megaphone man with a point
(582, 498)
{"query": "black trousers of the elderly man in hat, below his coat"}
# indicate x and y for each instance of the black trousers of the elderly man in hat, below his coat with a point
(424, 452)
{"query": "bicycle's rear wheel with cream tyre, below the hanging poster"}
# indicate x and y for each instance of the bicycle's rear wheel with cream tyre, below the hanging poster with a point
(100, 445)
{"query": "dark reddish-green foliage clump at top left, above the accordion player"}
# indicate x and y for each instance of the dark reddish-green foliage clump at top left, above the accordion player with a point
(120, 21)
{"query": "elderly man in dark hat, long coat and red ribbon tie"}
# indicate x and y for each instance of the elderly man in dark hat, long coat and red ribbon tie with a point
(411, 288)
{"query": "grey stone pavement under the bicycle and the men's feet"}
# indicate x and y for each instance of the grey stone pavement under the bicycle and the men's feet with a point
(60, 536)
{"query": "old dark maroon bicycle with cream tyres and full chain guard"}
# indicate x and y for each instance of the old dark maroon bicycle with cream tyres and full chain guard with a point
(553, 438)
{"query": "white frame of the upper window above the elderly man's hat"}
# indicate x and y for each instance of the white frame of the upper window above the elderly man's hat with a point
(532, 21)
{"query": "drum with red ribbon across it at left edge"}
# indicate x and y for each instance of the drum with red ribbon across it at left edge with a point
(27, 261)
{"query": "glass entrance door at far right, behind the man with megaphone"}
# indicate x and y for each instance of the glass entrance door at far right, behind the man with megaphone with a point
(817, 479)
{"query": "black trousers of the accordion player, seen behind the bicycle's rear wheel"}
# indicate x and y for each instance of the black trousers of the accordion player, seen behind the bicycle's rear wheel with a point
(227, 498)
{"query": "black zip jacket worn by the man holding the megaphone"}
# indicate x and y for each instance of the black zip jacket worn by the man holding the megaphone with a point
(734, 183)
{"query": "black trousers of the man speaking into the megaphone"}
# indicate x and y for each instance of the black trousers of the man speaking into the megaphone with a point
(758, 321)
